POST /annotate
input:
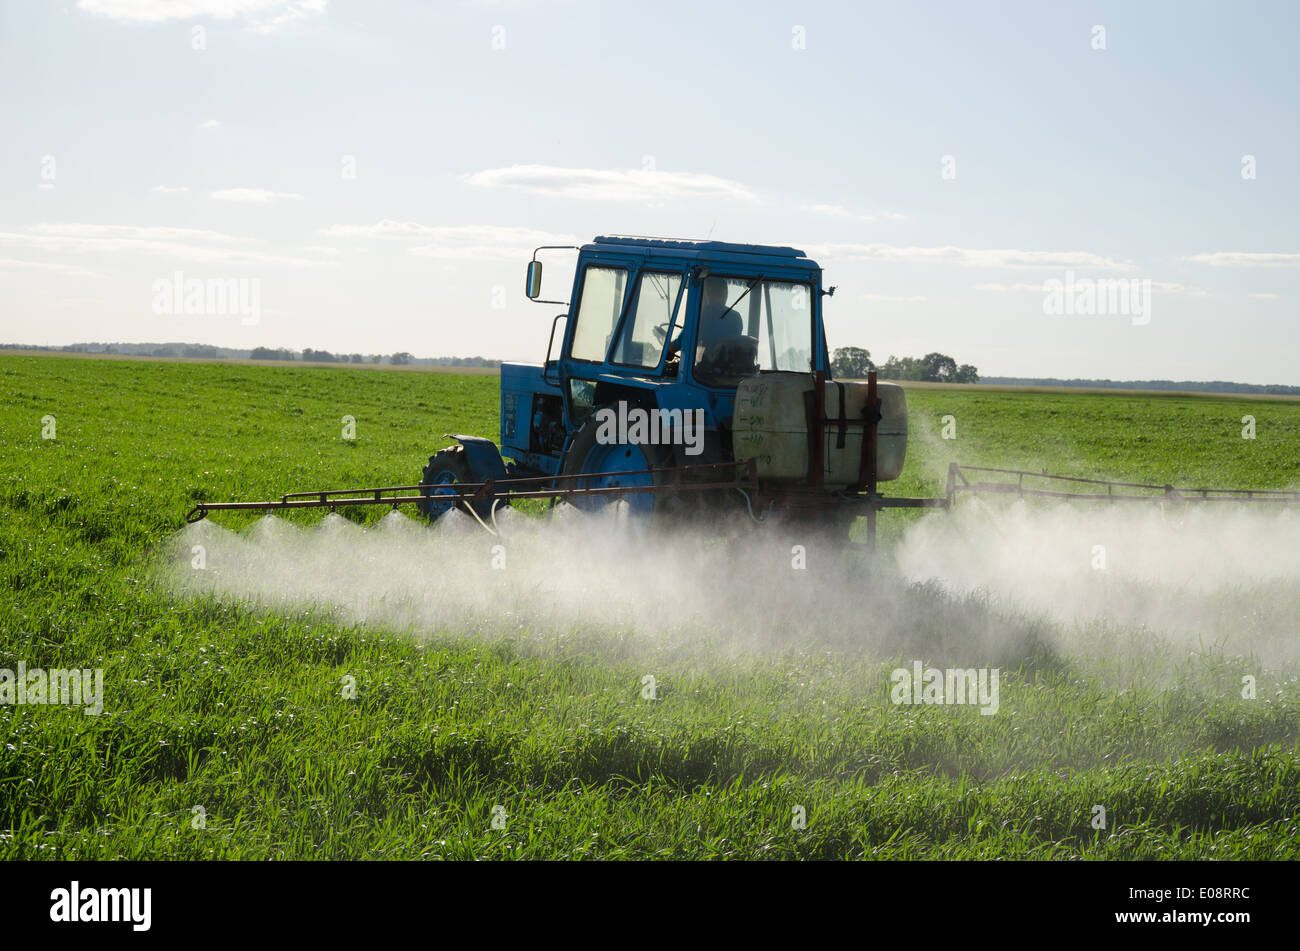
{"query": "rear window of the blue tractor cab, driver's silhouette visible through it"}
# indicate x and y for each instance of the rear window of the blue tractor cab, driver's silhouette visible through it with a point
(748, 325)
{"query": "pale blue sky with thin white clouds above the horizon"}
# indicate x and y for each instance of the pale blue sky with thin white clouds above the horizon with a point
(378, 175)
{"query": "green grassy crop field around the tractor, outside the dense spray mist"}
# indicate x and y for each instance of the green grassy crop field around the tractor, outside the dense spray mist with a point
(239, 709)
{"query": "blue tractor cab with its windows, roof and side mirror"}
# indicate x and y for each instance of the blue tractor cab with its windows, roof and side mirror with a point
(673, 325)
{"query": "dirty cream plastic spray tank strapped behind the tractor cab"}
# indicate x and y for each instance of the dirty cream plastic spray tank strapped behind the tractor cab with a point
(772, 428)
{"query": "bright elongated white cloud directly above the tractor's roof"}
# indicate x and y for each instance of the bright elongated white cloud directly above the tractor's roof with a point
(610, 185)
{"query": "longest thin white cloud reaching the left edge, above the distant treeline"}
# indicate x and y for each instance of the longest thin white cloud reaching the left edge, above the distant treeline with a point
(179, 244)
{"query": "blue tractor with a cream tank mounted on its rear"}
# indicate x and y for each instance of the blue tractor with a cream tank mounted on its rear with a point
(683, 333)
